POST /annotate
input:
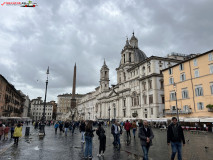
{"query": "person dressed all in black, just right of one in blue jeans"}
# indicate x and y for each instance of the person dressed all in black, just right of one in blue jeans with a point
(102, 138)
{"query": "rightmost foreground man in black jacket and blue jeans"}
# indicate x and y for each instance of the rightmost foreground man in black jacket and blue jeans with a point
(175, 136)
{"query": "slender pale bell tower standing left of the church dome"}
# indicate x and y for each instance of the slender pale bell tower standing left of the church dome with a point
(104, 77)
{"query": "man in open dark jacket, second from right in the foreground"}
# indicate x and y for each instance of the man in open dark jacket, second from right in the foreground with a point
(146, 135)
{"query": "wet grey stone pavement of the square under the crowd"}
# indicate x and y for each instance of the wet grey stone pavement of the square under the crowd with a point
(61, 147)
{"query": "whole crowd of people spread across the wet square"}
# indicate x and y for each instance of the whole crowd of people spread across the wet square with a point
(175, 135)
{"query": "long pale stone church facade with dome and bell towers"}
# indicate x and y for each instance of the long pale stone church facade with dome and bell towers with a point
(139, 92)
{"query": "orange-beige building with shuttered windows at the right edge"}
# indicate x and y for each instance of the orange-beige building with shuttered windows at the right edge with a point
(191, 81)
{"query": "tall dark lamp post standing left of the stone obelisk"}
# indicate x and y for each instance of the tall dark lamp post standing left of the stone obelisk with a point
(42, 129)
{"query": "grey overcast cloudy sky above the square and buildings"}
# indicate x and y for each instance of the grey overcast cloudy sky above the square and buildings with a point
(60, 33)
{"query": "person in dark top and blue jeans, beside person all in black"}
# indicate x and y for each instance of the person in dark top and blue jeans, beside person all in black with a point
(88, 138)
